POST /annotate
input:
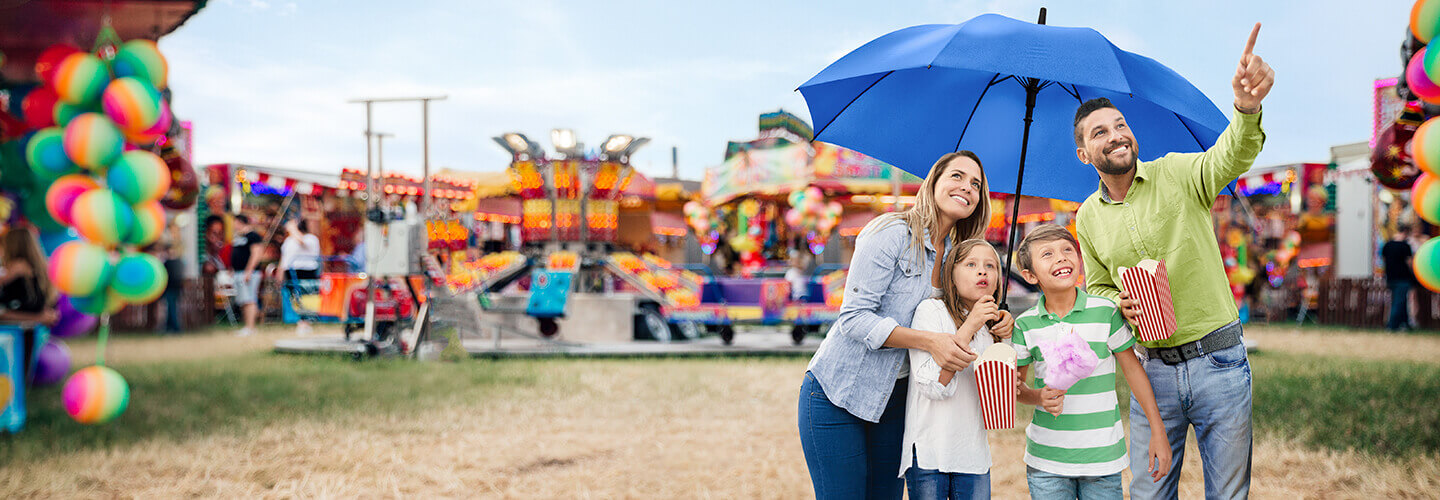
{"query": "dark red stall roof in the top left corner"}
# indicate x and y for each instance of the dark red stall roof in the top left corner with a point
(27, 28)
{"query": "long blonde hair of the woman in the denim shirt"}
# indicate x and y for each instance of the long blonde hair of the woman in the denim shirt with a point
(925, 214)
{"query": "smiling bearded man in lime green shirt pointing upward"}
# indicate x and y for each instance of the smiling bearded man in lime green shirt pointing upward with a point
(1161, 211)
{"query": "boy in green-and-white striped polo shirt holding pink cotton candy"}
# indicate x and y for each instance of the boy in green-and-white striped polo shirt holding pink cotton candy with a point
(1078, 450)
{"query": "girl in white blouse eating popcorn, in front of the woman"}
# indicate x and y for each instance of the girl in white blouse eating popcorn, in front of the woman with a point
(945, 450)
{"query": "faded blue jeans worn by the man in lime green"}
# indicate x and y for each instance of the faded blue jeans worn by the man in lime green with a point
(1213, 394)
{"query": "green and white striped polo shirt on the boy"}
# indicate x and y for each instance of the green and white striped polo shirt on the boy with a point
(1088, 437)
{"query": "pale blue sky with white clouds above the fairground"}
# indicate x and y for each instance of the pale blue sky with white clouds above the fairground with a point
(269, 83)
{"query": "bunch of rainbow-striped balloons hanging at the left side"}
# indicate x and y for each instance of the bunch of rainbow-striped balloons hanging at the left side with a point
(93, 169)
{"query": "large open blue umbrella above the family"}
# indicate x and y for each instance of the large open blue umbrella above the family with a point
(1009, 91)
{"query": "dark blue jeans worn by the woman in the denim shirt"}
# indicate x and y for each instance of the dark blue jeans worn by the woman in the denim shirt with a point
(850, 457)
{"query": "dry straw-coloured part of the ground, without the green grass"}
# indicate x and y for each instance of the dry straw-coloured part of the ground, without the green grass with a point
(610, 429)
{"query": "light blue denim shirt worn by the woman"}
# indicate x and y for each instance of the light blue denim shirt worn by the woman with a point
(885, 287)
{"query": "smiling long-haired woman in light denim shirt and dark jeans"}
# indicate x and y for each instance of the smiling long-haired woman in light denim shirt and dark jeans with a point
(852, 407)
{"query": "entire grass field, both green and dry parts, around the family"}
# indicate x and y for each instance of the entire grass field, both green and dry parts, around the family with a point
(1337, 416)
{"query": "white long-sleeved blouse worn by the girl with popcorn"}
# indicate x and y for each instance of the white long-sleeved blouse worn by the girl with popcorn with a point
(942, 424)
